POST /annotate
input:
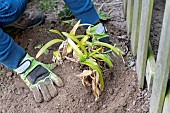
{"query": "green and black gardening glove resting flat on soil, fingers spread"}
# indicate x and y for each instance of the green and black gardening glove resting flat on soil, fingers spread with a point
(38, 78)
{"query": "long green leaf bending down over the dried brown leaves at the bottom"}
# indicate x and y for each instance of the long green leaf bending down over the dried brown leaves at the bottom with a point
(92, 64)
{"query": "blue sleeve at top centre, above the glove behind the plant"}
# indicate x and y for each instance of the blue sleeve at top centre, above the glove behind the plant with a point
(83, 10)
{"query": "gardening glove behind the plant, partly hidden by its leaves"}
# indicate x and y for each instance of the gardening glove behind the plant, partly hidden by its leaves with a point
(99, 33)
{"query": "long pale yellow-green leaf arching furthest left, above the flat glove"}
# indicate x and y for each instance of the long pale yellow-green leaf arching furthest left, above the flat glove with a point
(50, 43)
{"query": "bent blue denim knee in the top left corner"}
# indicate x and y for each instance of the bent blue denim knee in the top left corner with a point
(10, 11)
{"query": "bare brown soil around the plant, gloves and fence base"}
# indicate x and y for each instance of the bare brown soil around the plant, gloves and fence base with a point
(121, 94)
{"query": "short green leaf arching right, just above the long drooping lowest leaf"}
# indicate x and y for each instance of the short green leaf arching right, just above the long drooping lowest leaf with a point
(105, 58)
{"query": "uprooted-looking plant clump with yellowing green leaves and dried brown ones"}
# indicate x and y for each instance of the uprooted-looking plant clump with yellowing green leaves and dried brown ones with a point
(88, 53)
